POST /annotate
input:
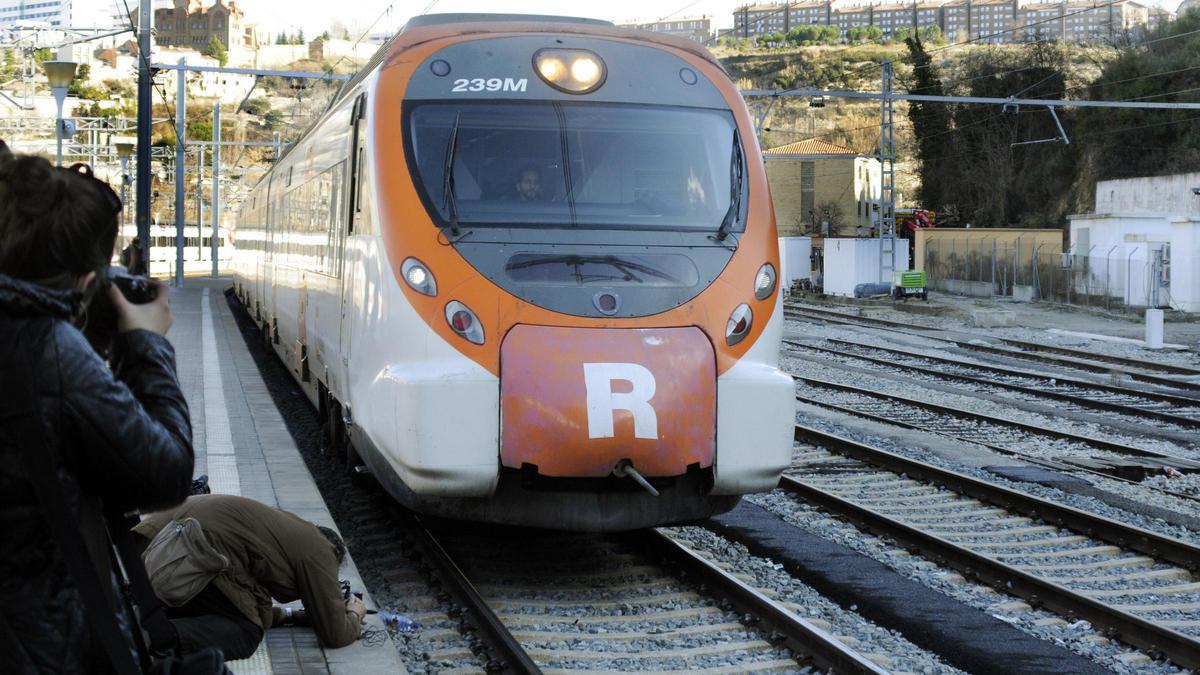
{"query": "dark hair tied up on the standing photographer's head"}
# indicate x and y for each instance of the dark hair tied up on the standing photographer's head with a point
(56, 224)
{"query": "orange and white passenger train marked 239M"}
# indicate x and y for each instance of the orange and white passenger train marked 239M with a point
(525, 268)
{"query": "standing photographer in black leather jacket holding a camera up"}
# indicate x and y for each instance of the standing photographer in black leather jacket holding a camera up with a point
(79, 439)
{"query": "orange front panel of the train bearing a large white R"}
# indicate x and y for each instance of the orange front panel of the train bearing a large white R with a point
(575, 402)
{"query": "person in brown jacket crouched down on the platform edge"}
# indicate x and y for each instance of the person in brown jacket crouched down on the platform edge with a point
(232, 557)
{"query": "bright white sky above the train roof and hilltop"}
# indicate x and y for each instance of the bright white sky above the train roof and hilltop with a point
(319, 15)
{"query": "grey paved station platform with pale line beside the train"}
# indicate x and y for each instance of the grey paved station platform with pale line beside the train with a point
(243, 445)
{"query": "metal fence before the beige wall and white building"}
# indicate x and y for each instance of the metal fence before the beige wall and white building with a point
(1121, 278)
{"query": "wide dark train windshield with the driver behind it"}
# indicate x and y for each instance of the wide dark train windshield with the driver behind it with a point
(547, 164)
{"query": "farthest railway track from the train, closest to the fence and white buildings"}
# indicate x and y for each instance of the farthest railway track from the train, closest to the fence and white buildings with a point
(1141, 371)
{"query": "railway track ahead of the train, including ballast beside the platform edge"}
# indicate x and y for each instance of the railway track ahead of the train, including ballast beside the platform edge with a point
(508, 600)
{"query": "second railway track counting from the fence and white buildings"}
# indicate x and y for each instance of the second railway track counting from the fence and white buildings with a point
(1084, 396)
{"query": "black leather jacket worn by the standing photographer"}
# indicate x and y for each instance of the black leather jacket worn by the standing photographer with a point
(119, 435)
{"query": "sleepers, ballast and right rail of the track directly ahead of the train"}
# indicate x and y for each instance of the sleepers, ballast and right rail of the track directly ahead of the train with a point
(590, 602)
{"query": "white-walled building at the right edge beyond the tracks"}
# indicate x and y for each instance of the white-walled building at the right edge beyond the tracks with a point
(1143, 243)
